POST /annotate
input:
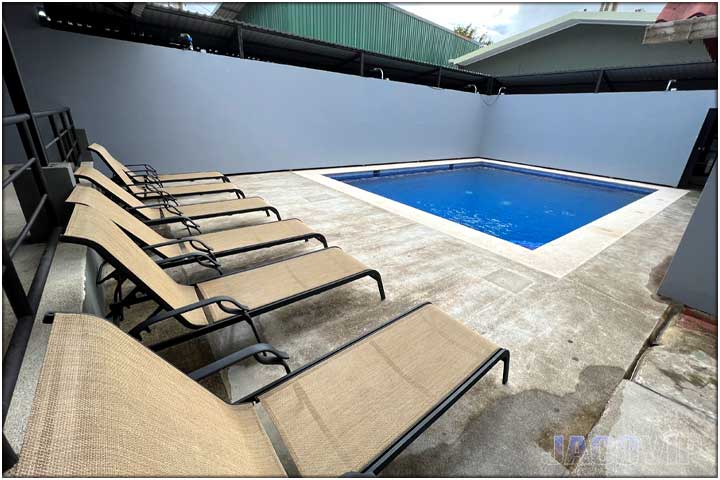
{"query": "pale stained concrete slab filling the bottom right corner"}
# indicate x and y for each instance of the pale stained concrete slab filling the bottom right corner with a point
(643, 434)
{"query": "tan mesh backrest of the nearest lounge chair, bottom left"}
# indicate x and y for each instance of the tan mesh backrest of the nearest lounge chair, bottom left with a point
(106, 406)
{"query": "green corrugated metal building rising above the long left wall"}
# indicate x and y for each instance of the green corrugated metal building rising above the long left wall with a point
(375, 27)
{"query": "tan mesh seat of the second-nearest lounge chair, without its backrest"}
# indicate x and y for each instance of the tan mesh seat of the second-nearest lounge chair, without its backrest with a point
(270, 283)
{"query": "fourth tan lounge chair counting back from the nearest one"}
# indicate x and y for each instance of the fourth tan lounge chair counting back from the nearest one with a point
(168, 212)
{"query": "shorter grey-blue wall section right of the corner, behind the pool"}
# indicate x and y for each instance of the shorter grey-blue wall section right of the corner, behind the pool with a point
(644, 136)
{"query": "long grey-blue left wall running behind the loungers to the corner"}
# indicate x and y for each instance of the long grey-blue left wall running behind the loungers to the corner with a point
(185, 110)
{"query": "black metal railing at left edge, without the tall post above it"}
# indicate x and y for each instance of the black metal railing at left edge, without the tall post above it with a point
(42, 217)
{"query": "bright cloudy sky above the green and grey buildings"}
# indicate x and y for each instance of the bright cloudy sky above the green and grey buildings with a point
(500, 20)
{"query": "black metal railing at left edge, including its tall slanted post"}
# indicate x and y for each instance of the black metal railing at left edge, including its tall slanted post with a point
(42, 222)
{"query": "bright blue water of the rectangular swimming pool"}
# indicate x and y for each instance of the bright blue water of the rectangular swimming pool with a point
(518, 205)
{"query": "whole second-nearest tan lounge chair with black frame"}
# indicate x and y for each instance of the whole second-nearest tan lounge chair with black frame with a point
(216, 303)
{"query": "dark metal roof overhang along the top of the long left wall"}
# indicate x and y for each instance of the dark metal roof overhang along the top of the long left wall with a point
(161, 25)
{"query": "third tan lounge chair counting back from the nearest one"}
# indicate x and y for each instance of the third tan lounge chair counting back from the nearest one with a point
(180, 251)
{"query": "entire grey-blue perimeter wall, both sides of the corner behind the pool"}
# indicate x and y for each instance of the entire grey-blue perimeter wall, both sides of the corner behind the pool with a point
(188, 111)
